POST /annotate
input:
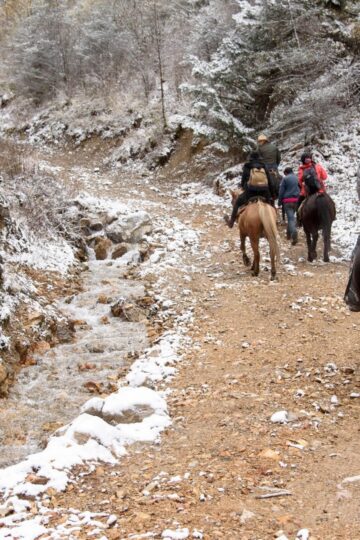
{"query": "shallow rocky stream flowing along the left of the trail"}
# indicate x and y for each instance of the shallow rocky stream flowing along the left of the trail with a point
(51, 393)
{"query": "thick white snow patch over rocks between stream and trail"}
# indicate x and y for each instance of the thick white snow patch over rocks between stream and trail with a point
(88, 438)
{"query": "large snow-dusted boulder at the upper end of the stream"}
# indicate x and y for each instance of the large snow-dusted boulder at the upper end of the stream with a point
(130, 228)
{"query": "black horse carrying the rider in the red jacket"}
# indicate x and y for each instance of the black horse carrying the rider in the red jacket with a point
(317, 213)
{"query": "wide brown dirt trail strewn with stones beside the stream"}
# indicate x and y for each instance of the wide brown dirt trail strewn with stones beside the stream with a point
(257, 349)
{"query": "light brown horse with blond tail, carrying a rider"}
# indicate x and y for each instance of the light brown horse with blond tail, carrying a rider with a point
(258, 220)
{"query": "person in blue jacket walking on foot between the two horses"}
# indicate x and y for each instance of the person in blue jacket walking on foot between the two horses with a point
(288, 198)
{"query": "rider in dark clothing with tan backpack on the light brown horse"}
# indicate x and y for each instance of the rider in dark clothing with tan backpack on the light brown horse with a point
(255, 182)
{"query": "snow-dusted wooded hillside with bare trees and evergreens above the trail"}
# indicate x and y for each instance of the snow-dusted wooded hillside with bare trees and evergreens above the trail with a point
(77, 70)
